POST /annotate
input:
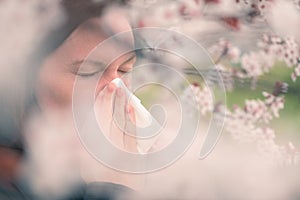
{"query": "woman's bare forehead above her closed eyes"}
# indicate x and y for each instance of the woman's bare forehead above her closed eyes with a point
(94, 33)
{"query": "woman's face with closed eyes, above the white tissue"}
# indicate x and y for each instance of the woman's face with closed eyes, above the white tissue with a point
(60, 70)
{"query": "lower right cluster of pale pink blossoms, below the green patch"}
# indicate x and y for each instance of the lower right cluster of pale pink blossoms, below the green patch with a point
(242, 125)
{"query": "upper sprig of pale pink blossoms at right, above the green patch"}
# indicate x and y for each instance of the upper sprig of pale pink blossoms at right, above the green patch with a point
(271, 48)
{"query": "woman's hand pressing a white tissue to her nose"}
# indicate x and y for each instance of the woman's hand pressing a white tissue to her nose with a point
(115, 118)
